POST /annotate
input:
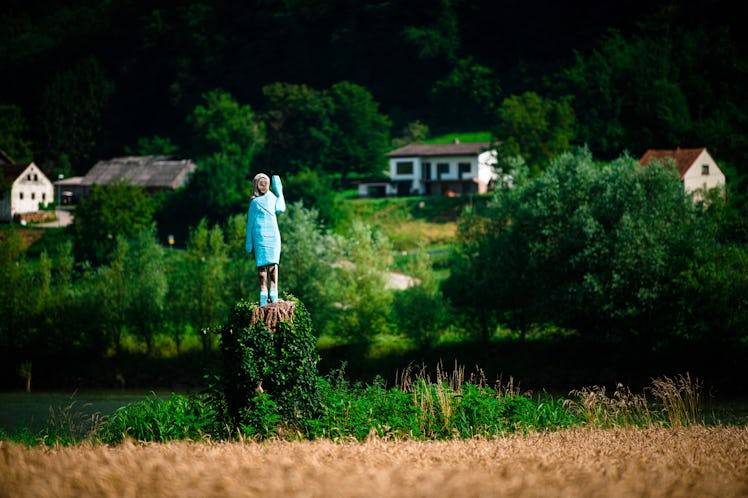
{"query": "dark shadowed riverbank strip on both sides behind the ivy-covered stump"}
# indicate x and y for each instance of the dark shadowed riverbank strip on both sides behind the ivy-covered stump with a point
(555, 366)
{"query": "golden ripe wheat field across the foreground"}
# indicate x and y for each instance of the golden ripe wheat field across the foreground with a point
(696, 461)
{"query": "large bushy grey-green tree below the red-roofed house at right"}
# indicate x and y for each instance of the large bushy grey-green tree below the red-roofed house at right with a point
(601, 253)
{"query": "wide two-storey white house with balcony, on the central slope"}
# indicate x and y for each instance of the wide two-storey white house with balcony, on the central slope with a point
(437, 169)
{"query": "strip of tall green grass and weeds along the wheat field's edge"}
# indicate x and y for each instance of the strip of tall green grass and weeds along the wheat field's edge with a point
(422, 405)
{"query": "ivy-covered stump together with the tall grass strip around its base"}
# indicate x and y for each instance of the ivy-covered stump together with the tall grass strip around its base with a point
(269, 388)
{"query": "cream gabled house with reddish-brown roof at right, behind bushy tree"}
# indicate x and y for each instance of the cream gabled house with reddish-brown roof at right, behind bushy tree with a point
(698, 171)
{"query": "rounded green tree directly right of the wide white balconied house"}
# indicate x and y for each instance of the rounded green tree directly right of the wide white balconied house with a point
(535, 128)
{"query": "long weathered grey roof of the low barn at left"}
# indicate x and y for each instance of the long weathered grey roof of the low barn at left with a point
(159, 172)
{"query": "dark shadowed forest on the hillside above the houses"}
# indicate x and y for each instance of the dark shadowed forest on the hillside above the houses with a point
(88, 80)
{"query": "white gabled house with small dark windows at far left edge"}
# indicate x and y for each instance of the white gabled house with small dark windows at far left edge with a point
(29, 189)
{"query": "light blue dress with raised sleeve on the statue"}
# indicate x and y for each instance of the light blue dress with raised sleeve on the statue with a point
(263, 236)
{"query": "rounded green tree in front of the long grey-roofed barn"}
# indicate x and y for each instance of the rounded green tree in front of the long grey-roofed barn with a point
(109, 211)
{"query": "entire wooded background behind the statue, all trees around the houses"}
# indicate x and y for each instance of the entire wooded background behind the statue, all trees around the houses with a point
(319, 92)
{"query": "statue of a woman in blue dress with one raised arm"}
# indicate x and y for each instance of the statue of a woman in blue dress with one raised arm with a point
(263, 236)
